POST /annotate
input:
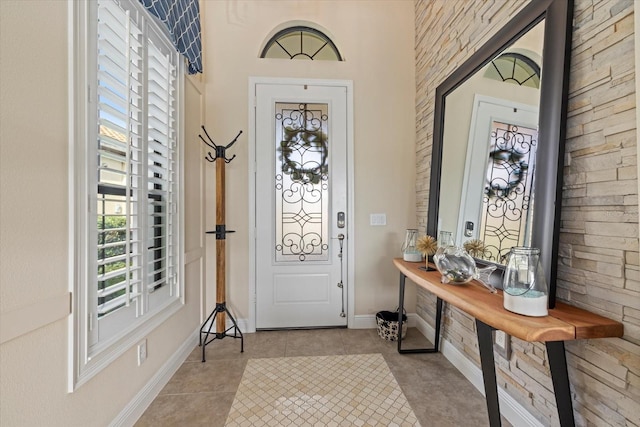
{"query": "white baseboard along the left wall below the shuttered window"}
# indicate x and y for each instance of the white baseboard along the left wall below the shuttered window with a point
(136, 407)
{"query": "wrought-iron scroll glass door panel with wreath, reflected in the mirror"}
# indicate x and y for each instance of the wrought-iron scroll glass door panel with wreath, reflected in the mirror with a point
(508, 192)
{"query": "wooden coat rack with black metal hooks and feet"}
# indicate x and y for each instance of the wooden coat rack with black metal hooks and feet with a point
(220, 312)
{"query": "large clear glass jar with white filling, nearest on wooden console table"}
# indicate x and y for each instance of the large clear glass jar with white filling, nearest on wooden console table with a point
(524, 285)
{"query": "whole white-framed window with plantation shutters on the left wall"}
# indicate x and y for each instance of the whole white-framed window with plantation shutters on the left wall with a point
(127, 278)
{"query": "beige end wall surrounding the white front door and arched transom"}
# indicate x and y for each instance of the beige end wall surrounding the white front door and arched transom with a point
(376, 38)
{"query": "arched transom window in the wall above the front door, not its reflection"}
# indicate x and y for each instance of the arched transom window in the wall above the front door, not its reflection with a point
(301, 42)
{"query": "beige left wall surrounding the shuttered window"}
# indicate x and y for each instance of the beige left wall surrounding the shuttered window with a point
(34, 235)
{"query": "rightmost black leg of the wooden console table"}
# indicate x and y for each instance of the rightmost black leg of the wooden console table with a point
(560, 378)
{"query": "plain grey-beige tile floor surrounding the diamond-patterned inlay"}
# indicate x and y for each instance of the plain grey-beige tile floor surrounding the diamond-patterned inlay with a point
(201, 394)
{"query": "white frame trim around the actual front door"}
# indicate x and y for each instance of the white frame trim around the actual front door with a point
(350, 276)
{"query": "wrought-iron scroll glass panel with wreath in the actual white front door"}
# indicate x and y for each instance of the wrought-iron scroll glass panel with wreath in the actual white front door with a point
(301, 182)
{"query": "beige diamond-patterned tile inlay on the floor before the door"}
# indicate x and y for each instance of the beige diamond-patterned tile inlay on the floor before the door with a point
(350, 390)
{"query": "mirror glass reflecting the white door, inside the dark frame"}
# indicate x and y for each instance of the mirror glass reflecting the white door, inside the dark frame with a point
(489, 146)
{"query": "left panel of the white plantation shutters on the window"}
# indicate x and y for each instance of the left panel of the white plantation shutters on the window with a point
(120, 62)
